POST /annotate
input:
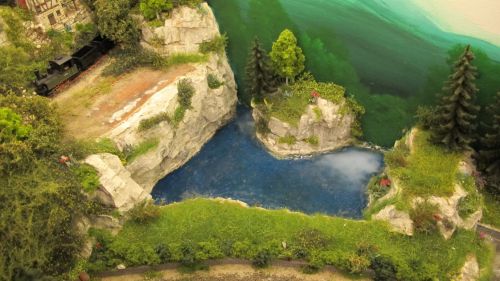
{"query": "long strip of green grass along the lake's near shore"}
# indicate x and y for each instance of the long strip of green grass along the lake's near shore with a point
(241, 232)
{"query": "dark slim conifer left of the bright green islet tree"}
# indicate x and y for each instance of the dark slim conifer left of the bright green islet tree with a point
(259, 74)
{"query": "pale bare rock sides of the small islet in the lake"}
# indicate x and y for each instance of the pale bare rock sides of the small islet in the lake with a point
(321, 128)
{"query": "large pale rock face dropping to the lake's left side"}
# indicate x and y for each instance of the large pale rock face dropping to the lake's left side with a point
(210, 109)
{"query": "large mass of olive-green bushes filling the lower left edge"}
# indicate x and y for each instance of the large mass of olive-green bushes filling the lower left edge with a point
(41, 198)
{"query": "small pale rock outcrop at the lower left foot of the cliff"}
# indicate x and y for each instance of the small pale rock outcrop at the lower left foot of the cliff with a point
(117, 189)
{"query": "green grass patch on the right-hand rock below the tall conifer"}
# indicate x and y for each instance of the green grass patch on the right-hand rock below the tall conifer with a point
(429, 170)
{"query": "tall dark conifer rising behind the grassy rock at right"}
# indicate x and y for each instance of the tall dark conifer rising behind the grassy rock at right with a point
(456, 114)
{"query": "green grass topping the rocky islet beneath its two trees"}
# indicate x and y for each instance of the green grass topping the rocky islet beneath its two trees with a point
(290, 109)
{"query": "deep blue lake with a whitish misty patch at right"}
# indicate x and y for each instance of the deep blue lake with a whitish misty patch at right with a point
(234, 165)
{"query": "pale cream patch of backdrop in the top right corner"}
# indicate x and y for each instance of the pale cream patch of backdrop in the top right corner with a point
(476, 18)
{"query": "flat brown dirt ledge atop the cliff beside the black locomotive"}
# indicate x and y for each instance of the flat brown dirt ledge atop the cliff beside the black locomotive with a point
(89, 105)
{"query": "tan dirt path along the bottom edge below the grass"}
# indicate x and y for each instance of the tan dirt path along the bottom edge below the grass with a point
(237, 271)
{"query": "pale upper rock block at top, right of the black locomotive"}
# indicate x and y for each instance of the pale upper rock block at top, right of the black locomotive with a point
(183, 31)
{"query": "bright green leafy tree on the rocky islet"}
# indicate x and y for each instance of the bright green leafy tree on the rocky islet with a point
(286, 56)
